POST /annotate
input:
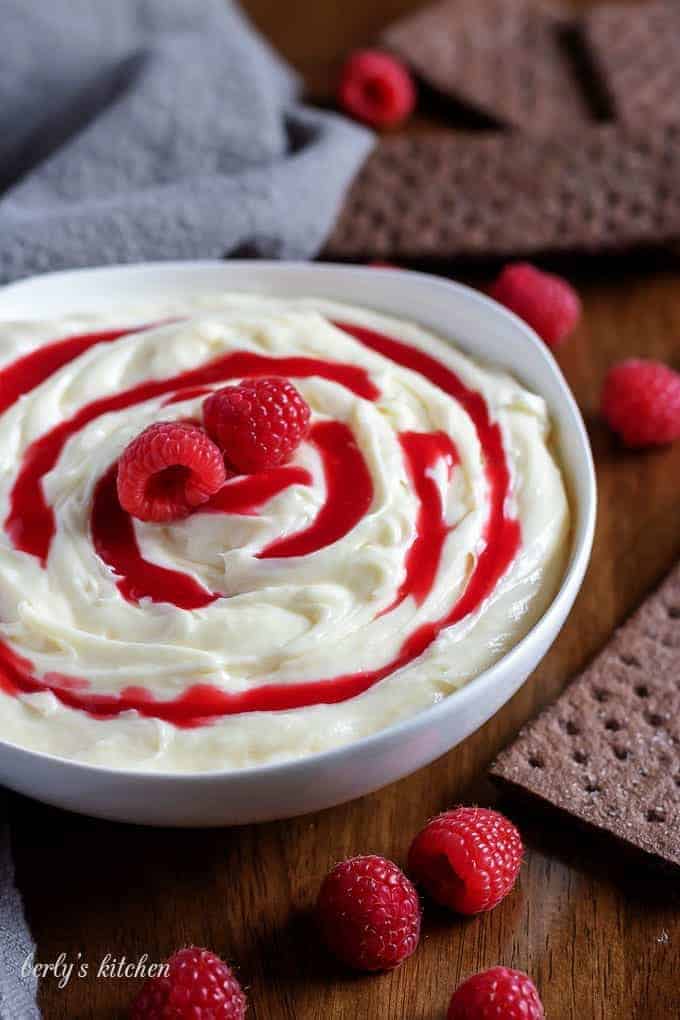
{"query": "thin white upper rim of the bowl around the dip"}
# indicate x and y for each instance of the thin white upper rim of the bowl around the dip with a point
(583, 534)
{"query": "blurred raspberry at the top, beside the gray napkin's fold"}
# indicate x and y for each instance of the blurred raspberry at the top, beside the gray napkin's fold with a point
(376, 88)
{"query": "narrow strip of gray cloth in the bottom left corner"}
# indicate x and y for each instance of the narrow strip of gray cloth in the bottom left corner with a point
(18, 990)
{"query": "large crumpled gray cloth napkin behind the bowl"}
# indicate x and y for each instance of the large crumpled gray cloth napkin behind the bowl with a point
(135, 130)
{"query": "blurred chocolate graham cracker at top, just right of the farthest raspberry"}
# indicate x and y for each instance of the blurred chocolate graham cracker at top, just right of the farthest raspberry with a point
(504, 59)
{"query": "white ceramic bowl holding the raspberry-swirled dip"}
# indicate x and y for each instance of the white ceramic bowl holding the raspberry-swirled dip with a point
(223, 798)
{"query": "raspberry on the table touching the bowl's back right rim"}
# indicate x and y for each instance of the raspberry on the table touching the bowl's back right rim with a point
(548, 303)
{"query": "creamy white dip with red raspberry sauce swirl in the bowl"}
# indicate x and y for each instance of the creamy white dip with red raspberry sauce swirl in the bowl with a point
(416, 536)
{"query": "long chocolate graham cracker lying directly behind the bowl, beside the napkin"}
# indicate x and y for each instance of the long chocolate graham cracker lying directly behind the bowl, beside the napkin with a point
(449, 194)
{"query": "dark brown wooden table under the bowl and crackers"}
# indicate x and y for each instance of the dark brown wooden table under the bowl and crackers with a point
(602, 942)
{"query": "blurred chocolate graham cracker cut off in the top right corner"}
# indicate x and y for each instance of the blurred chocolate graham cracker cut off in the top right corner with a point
(637, 54)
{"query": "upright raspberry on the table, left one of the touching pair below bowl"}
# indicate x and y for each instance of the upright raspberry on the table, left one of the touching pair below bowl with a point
(369, 913)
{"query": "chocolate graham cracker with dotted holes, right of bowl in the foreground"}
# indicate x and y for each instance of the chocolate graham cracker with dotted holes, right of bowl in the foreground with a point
(608, 752)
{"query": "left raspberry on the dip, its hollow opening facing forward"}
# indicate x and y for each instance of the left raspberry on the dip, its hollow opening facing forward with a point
(168, 471)
